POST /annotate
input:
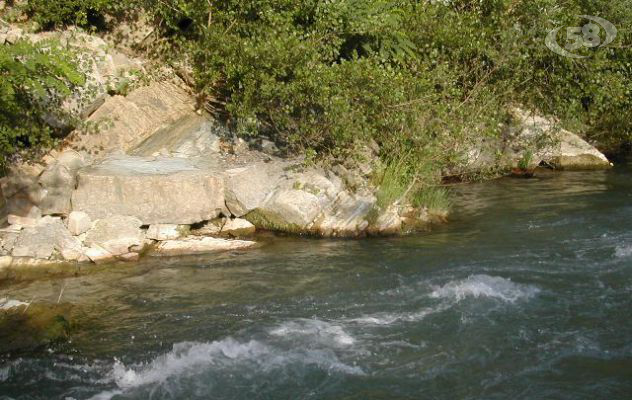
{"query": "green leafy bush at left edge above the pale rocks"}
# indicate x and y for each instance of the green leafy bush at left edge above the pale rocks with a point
(35, 79)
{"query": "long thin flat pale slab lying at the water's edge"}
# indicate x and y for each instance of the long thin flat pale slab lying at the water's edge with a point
(196, 245)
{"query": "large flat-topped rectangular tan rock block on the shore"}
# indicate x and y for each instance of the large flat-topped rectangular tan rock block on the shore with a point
(155, 190)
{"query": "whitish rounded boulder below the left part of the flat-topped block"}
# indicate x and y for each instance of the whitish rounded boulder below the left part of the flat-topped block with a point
(116, 235)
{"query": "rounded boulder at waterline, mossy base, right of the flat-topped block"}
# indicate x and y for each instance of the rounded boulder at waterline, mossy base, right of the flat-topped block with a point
(287, 210)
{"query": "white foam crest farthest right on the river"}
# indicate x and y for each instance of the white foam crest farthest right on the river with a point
(477, 286)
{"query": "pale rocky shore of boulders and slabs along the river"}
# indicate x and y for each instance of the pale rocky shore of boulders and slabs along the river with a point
(158, 176)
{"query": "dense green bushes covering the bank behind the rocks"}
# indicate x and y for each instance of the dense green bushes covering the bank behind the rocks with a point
(421, 78)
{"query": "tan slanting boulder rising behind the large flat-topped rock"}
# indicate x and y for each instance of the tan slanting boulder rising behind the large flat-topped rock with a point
(126, 122)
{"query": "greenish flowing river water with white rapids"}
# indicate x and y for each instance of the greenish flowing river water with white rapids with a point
(525, 294)
